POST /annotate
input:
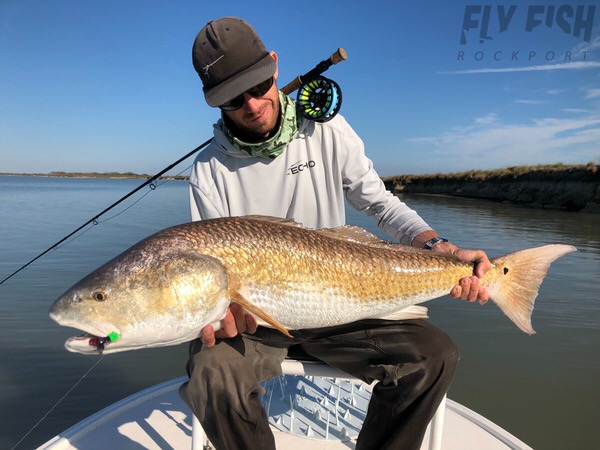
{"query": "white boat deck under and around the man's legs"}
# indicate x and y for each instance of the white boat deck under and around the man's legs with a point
(303, 413)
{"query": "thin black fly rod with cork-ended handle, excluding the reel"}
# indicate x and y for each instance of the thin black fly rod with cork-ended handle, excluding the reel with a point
(339, 55)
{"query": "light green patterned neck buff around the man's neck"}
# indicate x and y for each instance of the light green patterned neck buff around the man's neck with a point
(273, 147)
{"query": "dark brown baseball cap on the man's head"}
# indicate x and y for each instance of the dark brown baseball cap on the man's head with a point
(230, 58)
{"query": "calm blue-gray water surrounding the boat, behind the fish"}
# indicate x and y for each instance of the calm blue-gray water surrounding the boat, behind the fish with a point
(542, 388)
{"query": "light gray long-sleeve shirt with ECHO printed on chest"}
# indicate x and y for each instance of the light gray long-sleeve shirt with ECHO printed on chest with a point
(307, 182)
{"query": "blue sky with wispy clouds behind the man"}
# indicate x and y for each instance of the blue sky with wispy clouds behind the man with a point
(109, 85)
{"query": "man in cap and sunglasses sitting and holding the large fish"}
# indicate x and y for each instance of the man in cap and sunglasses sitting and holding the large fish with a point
(249, 169)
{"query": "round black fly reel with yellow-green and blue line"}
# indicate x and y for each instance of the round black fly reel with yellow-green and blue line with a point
(320, 99)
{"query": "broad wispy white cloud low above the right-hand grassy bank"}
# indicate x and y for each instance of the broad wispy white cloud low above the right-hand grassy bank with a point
(490, 142)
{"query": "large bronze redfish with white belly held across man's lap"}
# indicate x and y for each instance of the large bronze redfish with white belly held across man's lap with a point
(166, 288)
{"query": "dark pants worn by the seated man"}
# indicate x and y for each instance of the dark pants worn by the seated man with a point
(413, 361)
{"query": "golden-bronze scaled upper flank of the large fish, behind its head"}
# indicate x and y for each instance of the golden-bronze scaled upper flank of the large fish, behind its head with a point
(317, 261)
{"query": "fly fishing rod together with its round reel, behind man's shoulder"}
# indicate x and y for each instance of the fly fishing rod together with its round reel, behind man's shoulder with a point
(321, 103)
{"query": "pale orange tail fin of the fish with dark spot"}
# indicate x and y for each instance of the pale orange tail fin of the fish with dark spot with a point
(520, 276)
